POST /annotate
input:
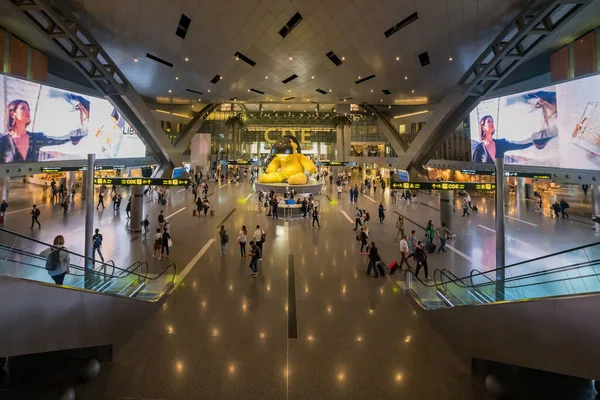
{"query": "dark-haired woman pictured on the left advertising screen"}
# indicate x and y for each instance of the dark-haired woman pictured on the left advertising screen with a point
(20, 145)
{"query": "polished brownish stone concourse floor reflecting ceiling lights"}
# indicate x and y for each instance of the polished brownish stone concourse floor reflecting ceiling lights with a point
(312, 325)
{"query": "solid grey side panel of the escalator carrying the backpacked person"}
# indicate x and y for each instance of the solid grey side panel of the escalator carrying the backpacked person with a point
(37, 317)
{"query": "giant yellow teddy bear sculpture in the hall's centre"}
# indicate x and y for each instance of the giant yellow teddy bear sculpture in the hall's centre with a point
(288, 163)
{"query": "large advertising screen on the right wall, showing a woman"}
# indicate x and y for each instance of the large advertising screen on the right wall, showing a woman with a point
(556, 126)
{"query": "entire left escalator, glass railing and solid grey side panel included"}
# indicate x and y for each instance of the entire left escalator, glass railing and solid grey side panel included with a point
(98, 305)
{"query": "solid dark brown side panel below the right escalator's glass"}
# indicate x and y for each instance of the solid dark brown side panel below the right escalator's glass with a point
(556, 334)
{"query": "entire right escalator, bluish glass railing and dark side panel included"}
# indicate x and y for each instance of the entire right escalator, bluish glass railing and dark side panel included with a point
(542, 315)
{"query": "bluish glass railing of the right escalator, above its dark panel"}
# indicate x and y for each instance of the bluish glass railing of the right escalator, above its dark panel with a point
(570, 272)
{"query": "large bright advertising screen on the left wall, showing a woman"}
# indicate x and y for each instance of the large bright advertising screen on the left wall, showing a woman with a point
(43, 123)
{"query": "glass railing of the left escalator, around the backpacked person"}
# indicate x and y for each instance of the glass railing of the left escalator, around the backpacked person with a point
(20, 258)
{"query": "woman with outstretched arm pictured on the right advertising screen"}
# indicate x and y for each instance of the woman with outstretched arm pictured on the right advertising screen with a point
(489, 148)
